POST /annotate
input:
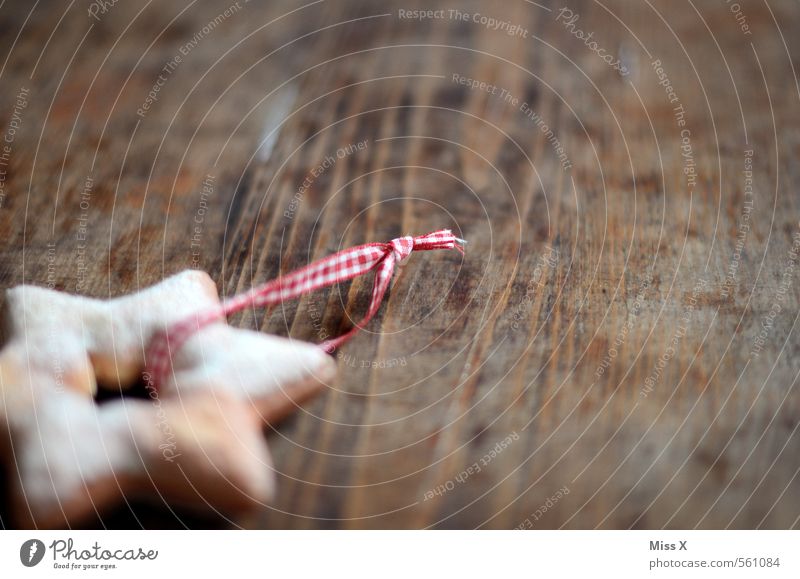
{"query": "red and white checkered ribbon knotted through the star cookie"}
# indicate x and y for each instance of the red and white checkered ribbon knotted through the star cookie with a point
(336, 268)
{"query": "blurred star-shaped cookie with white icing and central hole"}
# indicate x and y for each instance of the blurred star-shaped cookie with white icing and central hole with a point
(196, 440)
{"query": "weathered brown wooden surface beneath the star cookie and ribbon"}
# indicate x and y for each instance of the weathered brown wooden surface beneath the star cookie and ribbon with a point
(604, 322)
